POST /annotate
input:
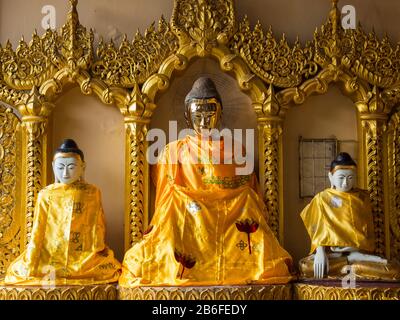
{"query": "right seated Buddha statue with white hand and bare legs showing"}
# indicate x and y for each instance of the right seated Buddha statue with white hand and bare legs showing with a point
(340, 224)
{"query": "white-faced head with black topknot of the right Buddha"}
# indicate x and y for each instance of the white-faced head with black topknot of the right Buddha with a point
(343, 173)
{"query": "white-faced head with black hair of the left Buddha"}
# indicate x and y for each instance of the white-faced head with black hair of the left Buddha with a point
(68, 163)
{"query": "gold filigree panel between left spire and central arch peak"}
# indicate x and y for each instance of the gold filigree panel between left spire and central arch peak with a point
(134, 62)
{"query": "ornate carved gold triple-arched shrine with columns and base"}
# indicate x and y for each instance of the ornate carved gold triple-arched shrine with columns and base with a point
(273, 73)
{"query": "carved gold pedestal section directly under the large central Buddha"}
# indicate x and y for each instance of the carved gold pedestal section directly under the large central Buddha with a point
(256, 292)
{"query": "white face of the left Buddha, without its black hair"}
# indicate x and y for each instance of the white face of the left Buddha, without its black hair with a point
(68, 170)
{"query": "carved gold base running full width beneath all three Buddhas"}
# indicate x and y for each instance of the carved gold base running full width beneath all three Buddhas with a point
(297, 291)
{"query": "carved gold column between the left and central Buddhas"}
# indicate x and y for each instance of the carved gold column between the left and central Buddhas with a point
(136, 180)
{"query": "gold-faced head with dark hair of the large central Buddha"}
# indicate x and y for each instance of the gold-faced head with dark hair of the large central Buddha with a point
(203, 106)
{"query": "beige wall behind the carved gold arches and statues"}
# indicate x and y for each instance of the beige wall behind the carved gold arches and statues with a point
(99, 129)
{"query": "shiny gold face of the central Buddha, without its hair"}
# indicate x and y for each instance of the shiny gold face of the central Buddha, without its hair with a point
(204, 117)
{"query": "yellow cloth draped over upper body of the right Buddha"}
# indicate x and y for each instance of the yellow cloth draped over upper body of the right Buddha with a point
(340, 219)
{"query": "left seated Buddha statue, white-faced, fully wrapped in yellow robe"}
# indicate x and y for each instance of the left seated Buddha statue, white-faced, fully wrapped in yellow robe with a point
(67, 244)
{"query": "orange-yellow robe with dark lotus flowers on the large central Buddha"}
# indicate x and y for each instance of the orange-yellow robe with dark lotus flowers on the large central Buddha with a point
(209, 226)
